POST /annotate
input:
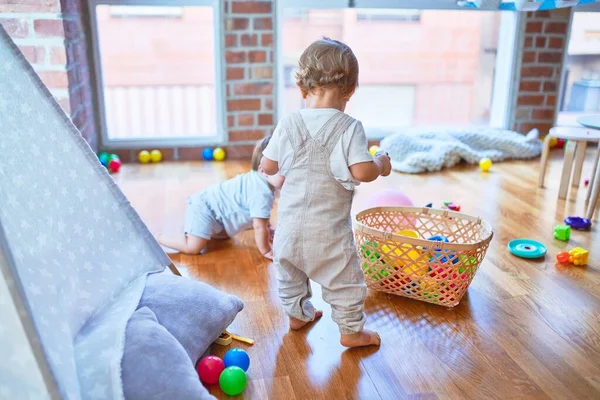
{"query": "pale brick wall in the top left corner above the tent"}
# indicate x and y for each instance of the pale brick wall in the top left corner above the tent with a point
(44, 31)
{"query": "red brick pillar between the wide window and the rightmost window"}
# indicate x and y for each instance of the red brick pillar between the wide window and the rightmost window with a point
(545, 42)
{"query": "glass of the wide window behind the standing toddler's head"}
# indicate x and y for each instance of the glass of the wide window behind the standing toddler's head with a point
(417, 67)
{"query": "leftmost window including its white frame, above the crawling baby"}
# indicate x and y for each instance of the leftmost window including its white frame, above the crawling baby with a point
(157, 72)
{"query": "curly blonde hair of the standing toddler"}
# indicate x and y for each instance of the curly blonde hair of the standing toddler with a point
(327, 63)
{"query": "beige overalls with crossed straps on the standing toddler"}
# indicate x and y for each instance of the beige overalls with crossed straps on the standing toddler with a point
(314, 229)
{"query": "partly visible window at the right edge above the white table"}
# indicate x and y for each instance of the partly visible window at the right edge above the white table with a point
(581, 79)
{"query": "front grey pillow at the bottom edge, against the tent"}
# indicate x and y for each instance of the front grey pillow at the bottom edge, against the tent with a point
(154, 365)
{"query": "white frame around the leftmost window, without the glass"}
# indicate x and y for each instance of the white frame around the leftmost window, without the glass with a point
(219, 137)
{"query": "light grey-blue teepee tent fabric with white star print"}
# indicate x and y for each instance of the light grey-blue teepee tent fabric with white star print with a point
(61, 329)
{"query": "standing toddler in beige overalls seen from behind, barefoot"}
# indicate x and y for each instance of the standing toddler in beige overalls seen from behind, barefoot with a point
(322, 152)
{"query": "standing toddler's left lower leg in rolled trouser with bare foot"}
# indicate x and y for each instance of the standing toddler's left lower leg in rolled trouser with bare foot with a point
(295, 294)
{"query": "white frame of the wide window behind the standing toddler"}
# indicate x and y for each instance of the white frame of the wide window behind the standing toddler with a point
(505, 86)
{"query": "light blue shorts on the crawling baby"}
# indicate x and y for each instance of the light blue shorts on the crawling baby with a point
(200, 219)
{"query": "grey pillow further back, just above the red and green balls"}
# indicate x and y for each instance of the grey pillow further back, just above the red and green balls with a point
(193, 312)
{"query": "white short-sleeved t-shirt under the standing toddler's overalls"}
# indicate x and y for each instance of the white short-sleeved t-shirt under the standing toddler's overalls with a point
(351, 149)
